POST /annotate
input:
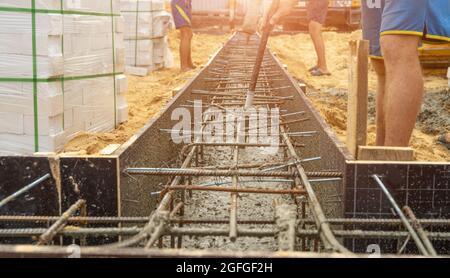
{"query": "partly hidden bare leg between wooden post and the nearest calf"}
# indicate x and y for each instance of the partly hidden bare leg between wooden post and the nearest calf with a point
(378, 65)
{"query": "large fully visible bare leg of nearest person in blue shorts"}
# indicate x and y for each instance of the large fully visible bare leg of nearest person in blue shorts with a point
(404, 87)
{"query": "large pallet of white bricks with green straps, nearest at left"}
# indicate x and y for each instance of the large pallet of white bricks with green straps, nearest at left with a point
(61, 72)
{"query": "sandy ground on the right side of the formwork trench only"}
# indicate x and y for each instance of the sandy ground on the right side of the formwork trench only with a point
(329, 92)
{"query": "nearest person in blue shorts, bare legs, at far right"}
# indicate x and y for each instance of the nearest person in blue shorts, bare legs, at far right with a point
(395, 29)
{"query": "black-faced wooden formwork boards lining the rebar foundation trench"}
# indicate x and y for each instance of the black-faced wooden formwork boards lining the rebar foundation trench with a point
(116, 201)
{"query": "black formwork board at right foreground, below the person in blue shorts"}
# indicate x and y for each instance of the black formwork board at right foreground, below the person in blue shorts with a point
(424, 187)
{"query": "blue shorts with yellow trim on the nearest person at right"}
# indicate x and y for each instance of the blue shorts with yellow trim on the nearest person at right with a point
(429, 19)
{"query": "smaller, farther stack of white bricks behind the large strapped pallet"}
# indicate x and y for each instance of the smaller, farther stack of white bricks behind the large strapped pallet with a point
(146, 43)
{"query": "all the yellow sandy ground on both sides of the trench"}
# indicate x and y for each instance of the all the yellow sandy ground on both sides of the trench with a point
(148, 95)
